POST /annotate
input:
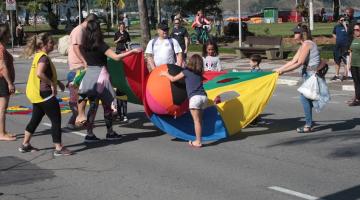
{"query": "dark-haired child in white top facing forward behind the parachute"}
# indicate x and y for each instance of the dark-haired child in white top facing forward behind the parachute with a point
(210, 56)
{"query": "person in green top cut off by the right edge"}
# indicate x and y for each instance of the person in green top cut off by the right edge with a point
(355, 65)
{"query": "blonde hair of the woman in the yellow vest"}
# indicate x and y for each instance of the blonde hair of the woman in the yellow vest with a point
(36, 42)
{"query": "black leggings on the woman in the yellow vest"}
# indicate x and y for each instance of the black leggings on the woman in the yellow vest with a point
(50, 108)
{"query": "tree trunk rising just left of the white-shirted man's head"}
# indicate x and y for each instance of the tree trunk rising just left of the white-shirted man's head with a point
(144, 22)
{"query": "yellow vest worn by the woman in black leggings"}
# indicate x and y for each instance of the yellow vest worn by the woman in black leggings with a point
(33, 84)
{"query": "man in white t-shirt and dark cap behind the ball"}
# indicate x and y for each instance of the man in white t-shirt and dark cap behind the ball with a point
(163, 50)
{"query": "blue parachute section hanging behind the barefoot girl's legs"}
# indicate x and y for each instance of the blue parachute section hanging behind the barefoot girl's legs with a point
(183, 127)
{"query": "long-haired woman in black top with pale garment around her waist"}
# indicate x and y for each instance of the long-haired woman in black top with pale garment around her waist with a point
(96, 84)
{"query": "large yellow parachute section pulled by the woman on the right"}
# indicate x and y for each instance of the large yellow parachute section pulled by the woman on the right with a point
(238, 112)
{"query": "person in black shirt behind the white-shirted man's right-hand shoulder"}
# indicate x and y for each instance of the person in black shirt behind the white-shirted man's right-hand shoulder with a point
(182, 36)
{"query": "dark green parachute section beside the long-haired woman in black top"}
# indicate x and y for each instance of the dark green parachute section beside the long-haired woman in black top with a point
(118, 80)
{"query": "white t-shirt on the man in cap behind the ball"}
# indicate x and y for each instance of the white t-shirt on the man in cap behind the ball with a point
(163, 52)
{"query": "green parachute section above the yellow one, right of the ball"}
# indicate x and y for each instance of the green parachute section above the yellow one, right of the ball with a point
(234, 77)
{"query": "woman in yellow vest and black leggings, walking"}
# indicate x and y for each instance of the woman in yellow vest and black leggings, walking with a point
(41, 90)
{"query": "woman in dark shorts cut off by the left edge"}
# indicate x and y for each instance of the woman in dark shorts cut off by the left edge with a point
(7, 77)
